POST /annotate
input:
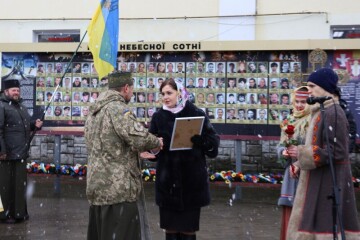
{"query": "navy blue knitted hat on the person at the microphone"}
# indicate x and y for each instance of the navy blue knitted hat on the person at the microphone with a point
(325, 78)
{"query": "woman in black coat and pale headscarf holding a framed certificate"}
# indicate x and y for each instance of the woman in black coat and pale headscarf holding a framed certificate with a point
(182, 184)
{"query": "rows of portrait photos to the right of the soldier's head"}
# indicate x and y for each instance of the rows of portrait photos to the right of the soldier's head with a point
(229, 92)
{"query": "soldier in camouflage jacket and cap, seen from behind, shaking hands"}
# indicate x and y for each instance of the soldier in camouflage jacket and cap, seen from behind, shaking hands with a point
(114, 141)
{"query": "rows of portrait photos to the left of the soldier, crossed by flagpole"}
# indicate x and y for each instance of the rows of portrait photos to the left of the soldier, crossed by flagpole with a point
(79, 88)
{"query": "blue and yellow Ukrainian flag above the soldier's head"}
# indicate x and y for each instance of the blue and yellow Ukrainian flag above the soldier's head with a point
(104, 36)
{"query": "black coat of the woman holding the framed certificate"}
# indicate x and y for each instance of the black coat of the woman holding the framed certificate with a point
(182, 180)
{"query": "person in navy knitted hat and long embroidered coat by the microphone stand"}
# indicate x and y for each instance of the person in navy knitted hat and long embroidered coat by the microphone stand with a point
(311, 216)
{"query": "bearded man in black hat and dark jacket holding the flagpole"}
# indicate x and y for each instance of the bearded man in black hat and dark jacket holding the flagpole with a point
(15, 127)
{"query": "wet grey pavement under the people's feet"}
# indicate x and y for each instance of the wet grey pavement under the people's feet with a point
(59, 210)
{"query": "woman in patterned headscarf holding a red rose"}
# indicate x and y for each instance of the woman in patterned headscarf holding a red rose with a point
(293, 129)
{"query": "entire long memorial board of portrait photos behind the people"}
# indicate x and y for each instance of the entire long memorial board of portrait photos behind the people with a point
(243, 93)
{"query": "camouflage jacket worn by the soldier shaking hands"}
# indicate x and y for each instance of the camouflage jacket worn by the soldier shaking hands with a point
(114, 139)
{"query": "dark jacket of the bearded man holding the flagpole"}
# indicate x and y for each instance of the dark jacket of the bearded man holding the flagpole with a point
(15, 127)
